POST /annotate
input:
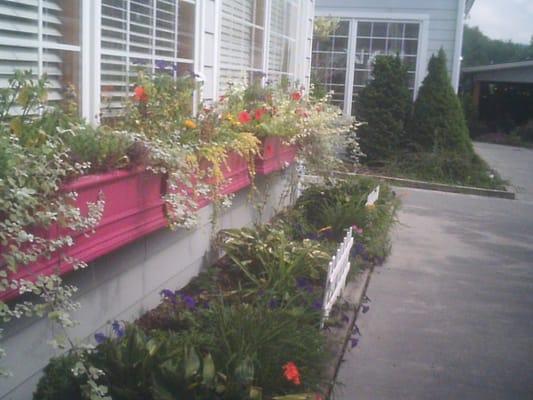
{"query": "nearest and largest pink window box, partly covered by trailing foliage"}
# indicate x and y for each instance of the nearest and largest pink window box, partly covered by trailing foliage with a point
(133, 208)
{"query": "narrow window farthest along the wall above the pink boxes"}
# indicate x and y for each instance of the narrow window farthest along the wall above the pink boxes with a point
(283, 37)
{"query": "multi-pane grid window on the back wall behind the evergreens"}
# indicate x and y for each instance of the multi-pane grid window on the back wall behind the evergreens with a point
(332, 62)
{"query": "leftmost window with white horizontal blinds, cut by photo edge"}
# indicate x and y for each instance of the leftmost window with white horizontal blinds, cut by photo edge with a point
(42, 36)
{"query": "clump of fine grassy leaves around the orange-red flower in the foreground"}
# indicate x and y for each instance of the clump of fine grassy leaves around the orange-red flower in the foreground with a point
(254, 342)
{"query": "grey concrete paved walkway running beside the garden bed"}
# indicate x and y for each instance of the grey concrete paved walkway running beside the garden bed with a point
(451, 313)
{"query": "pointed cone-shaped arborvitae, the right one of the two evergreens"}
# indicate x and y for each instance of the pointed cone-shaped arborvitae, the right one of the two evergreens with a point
(438, 121)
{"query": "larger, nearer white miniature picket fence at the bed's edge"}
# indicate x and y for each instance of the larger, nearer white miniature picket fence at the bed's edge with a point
(338, 269)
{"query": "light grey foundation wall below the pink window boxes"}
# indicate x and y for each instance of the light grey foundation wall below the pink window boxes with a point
(124, 284)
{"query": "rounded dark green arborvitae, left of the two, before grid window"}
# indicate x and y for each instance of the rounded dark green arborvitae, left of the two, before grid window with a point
(383, 106)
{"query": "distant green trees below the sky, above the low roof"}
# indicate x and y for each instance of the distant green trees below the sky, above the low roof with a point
(479, 49)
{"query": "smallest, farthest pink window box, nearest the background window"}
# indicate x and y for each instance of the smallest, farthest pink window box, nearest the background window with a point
(275, 155)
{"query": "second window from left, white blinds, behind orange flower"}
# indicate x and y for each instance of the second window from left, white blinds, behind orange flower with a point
(143, 34)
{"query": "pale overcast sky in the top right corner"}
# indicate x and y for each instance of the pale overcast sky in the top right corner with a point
(504, 19)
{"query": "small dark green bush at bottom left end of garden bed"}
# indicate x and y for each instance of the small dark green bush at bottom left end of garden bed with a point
(58, 382)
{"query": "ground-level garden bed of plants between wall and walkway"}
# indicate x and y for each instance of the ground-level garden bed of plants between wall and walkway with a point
(248, 327)
